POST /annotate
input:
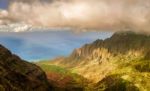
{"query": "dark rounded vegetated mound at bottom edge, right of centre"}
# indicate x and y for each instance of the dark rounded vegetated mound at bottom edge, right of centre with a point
(115, 83)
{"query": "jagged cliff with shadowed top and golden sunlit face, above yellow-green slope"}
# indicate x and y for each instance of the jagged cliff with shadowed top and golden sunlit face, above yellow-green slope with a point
(96, 60)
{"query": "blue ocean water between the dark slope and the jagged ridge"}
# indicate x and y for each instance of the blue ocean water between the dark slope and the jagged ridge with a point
(34, 46)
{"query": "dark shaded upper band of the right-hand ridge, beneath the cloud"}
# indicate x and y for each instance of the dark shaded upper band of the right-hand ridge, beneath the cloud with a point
(117, 44)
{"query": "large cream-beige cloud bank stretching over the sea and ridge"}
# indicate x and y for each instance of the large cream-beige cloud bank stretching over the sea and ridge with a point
(84, 14)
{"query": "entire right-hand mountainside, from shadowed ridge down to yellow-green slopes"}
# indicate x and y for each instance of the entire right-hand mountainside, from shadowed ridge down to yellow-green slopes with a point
(119, 63)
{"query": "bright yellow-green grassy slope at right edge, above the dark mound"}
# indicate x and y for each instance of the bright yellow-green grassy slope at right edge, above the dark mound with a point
(136, 72)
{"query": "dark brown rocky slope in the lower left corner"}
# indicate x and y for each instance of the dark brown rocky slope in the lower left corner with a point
(18, 75)
